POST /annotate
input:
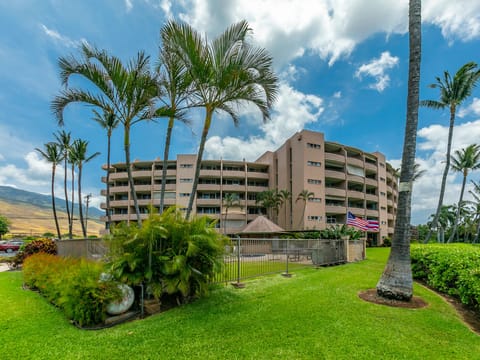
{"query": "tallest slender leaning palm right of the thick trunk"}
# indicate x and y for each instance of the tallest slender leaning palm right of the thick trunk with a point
(453, 92)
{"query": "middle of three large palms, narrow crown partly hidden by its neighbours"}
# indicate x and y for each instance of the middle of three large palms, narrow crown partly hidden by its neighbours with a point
(175, 86)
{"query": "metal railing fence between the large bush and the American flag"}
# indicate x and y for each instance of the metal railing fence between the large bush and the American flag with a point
(246, 258)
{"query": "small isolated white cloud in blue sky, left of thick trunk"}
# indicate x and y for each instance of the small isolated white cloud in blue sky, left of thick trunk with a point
(377, 68)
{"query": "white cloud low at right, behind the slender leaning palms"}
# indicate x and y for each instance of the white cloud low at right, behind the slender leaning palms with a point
(431, 154)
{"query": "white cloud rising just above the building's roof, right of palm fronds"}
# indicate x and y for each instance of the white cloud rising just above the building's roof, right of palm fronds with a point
(292, 112)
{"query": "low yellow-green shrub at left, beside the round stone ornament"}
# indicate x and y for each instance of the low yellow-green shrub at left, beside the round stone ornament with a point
(73, 285)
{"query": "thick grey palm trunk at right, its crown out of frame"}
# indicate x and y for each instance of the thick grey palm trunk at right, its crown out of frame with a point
(396, 281)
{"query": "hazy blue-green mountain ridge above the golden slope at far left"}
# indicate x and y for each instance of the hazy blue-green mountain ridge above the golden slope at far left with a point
(17, 196)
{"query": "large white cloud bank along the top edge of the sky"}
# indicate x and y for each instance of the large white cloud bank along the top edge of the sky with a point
(329, 28)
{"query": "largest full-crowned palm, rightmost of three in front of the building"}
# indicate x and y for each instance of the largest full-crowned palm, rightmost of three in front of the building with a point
(225, 73)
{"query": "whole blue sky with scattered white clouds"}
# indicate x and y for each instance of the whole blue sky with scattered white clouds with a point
(342, 65)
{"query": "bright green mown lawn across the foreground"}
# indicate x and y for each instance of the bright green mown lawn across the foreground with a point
(316, 314)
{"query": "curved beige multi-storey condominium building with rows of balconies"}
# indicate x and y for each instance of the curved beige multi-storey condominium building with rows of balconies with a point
(338, 178)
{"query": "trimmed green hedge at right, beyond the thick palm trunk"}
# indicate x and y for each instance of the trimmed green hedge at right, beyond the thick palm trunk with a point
(452, 269)
